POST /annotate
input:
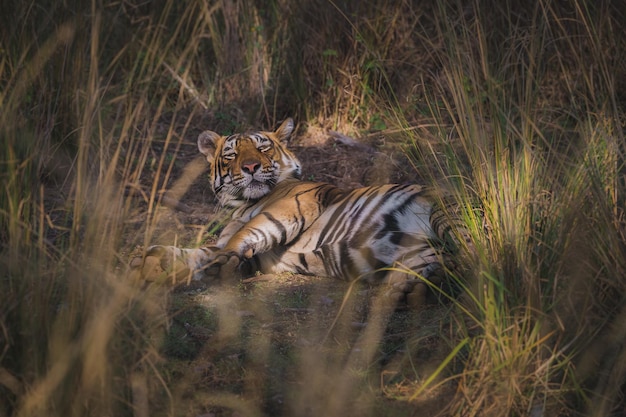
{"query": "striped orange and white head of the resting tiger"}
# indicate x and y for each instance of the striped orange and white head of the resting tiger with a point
(247, 166)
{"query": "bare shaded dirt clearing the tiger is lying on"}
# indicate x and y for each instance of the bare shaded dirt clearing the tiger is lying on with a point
(293, 345)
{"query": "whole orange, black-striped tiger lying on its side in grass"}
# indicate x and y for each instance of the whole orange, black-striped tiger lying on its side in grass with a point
(392, 234)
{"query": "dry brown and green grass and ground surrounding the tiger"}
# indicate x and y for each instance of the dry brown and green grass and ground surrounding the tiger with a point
(517, 109)
